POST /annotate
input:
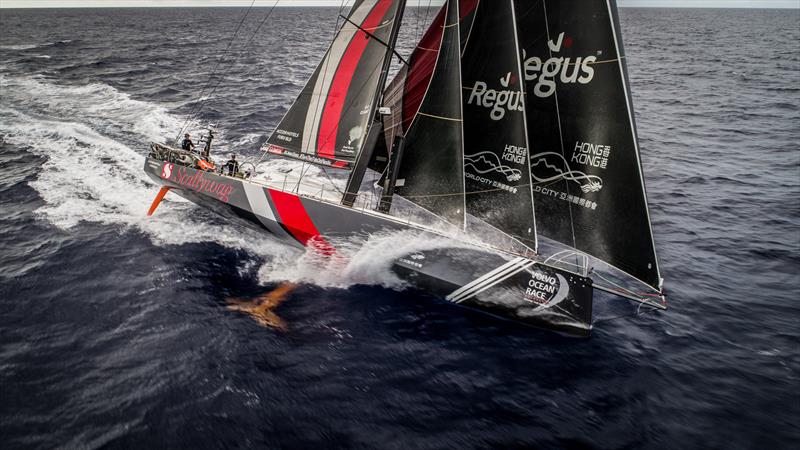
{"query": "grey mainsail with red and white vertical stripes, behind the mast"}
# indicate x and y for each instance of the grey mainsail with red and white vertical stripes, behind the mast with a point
(329, 120)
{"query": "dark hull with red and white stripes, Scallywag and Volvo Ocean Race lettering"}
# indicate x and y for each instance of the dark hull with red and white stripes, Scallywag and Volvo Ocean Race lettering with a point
(492, 281)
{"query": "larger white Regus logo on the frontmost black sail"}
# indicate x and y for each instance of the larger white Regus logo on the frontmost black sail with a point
(557, 68)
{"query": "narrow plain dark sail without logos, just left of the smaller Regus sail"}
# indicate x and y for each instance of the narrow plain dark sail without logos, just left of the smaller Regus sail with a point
(432, 170)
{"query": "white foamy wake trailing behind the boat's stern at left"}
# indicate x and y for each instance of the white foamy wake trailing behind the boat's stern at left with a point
(91, 176)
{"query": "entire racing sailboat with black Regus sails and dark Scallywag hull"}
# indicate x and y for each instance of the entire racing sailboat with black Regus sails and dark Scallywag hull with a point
(507, 135)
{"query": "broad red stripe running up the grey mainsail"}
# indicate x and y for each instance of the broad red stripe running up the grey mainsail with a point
(332, 114)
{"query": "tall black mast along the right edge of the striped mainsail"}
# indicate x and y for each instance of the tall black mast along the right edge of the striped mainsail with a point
(375, 125)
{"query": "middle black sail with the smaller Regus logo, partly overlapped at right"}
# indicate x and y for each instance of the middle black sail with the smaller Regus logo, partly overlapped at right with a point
(496, 163)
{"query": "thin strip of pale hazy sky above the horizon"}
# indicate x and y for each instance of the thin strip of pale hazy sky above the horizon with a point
(142, 3)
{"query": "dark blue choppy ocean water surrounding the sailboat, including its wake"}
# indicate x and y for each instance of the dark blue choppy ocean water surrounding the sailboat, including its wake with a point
(114, 327)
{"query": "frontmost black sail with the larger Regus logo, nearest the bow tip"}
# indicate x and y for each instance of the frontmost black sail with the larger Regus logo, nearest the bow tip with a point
(587, 178)
